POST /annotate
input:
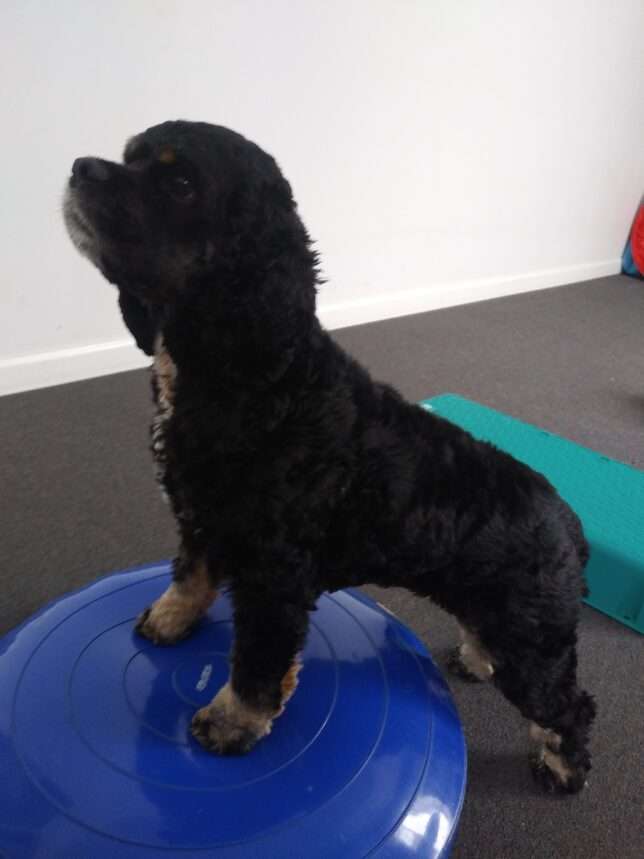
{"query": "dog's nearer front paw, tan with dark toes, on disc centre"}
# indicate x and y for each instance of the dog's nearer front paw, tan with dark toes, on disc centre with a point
(227, 726)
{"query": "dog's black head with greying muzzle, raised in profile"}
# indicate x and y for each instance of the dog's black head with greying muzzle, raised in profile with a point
(191, 202)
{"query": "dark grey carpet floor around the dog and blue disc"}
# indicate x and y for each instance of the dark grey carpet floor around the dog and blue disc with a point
(79, 499)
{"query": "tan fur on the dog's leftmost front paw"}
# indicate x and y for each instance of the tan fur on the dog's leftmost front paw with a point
(180, 606)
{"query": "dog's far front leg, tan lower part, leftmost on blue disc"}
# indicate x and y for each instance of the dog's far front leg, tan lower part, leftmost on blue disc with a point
(175, 614)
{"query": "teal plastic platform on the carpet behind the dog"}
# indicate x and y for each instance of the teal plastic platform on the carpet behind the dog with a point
(607, 495)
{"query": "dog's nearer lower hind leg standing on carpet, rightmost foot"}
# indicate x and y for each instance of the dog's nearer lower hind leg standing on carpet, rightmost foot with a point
(544, 688)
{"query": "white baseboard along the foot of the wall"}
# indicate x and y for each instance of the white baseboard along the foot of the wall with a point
(85, 362)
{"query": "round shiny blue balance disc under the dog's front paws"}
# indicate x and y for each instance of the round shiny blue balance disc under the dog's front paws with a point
(97, 759)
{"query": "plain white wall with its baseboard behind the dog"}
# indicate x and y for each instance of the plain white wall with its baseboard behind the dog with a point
(441, 151)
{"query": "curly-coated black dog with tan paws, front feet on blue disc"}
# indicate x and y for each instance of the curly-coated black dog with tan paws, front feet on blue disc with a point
(291, 472)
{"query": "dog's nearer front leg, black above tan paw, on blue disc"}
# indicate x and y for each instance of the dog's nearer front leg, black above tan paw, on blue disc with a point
(269, 633)
